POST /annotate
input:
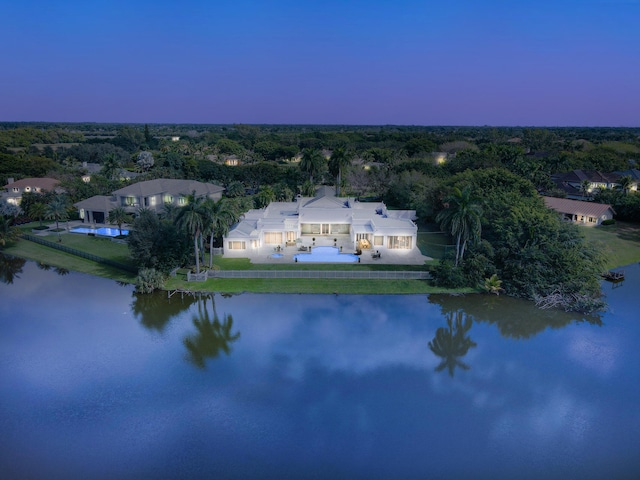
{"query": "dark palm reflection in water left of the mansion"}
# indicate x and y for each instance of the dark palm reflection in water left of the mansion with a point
(212, 336)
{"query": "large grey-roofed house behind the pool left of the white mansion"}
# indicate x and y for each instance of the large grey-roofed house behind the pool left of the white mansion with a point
(151, 194)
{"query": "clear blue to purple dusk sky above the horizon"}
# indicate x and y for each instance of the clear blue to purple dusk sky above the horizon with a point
(363, 62)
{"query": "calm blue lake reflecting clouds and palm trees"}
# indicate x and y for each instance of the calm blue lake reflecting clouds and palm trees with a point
(96, 382)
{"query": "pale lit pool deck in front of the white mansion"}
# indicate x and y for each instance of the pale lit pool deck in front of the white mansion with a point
(387, 257)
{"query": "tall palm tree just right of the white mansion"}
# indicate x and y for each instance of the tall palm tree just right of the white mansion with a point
(462, 219)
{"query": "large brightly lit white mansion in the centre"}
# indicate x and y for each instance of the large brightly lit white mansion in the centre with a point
(323, 217)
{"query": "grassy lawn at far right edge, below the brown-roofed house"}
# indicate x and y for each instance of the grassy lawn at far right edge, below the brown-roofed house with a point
(620, 242)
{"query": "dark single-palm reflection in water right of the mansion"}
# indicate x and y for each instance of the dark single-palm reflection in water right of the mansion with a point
(452, 343)
